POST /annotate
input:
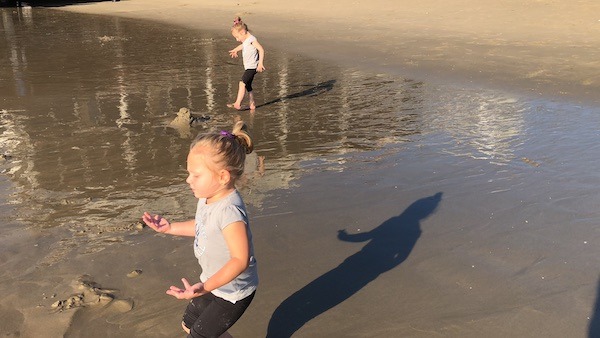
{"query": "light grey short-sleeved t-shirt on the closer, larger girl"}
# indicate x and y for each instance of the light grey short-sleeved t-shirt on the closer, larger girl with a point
(211, 249)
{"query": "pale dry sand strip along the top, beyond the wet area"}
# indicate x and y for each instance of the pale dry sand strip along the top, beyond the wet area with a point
(538, 49)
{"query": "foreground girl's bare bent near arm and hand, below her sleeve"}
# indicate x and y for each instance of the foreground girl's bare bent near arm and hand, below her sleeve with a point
(239, 249)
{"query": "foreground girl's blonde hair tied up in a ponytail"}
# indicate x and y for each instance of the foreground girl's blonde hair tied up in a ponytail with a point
(229, 149)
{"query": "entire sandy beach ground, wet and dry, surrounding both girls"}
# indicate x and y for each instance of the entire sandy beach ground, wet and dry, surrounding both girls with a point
(430, 166)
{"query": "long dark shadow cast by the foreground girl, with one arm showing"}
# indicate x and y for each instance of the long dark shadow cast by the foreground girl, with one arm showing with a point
(388, 246)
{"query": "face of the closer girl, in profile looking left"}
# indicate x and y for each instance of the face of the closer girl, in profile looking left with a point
(204, 181)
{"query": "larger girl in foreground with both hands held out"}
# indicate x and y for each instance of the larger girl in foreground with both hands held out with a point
(223, 241)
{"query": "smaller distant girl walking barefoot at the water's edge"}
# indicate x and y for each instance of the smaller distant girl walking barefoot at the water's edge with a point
(253, 55)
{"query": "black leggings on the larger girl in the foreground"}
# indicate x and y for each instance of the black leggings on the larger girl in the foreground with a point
(211, 316)
